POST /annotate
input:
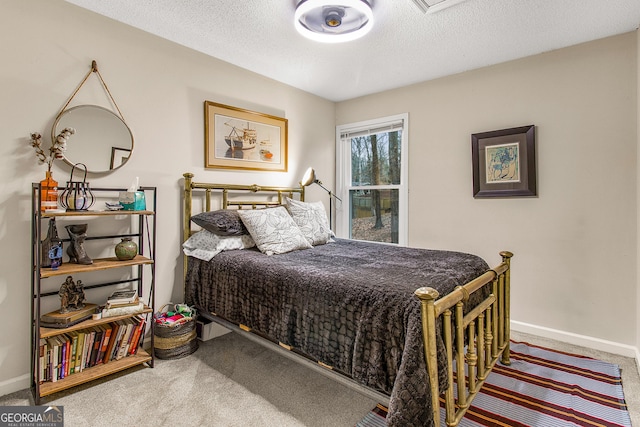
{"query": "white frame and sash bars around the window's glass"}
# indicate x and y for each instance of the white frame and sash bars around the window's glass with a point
(343, 171)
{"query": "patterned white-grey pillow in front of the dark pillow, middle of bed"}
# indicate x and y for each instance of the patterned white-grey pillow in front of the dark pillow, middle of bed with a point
(273, 230)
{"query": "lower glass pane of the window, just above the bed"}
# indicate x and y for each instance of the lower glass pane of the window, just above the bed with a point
(374, 215)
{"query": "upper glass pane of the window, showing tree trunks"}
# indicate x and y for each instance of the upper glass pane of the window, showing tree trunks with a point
(375, 159)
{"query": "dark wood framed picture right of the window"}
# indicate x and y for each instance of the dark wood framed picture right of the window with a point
(504, 163)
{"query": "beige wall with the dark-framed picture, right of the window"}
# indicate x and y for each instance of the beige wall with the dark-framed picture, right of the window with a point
(574, 270)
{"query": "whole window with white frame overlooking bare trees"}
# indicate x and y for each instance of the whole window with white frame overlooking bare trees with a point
(371, 180)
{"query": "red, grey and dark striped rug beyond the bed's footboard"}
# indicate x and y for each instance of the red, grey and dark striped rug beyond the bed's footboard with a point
(543, 388)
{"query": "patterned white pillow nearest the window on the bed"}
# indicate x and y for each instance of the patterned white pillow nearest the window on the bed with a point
(312, 220)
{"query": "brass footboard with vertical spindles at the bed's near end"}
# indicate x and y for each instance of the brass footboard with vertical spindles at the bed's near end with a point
(481, 337)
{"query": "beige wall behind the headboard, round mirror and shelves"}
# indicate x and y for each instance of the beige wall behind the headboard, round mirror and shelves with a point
(47, 47)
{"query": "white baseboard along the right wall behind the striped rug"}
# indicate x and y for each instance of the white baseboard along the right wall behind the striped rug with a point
(581, 340)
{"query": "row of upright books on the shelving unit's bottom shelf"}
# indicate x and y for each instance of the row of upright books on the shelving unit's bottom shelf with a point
(72, 352)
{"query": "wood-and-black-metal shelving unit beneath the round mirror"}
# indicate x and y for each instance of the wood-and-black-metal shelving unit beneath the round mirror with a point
(141, 266)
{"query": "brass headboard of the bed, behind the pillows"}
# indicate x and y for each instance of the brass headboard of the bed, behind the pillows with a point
(230, 196)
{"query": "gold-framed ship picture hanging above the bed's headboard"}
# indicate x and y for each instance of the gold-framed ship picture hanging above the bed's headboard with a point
(236, 138)
